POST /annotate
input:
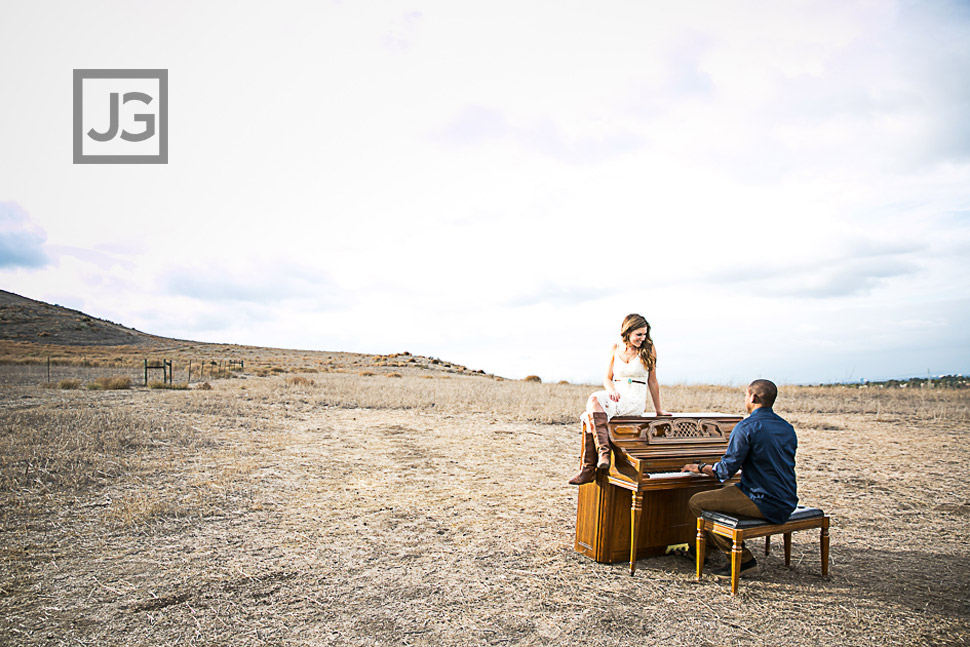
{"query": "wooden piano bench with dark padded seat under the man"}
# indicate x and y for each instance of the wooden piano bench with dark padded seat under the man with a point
(737, 529)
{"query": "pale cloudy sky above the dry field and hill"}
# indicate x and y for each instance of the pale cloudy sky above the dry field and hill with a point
(781, 188)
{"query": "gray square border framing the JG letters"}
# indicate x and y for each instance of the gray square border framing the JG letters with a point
(162, 76)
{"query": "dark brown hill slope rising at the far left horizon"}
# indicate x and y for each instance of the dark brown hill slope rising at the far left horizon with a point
(27, 320)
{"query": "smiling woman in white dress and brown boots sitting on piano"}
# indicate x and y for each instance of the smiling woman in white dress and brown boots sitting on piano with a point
(631, 373)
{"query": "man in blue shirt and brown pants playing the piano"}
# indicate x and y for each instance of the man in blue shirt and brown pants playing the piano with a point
(763, 447)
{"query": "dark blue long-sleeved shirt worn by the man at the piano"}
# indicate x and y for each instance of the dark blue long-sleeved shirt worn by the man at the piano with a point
(763, 446)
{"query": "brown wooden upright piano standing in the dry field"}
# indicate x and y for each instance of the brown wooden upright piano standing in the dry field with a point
(639, 507)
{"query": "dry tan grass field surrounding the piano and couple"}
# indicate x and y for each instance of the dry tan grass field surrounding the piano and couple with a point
(341, 506)
